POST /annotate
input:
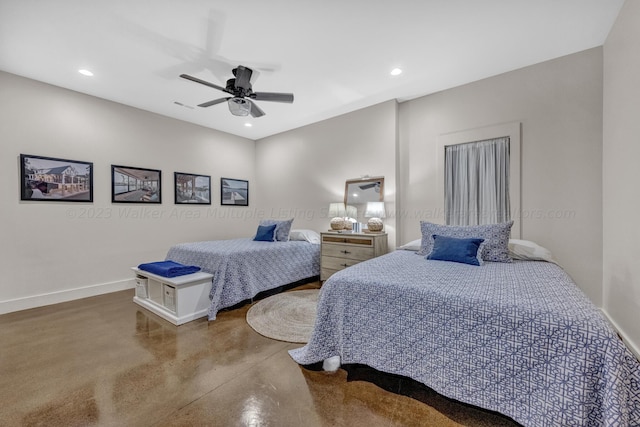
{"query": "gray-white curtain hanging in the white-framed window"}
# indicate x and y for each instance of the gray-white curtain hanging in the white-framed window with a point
(477, 182)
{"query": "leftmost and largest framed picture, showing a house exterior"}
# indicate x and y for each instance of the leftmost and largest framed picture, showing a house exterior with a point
(55, 180)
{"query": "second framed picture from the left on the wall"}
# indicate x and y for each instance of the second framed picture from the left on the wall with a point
(135, 185)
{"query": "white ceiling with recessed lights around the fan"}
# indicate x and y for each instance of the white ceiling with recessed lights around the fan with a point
(335, 56)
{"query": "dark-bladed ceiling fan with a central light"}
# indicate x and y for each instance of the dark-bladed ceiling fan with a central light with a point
(240, 103)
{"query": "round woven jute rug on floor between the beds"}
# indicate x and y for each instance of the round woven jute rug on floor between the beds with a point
(288, 316)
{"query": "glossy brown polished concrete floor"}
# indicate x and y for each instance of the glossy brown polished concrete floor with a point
(106, 361)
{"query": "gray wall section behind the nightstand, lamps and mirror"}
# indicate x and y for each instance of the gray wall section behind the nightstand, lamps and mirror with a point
(301, 171)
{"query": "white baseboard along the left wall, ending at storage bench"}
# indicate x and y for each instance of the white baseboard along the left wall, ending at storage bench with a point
(41, 300)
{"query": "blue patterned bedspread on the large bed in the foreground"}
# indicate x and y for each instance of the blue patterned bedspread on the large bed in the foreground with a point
(517, 338)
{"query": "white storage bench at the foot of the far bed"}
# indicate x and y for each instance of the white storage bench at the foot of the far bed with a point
(179, 299)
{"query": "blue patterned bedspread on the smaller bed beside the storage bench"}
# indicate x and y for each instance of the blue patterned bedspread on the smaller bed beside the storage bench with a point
(242, 268)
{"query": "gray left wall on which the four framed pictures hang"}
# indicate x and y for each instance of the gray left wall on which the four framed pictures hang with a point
(53, 252)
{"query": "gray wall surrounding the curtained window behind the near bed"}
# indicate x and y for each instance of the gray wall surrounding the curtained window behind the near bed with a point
(559, 104)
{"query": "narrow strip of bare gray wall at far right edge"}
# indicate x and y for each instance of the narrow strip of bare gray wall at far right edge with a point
(621, 173)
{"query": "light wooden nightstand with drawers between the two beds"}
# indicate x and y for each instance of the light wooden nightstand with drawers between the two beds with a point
(342, 250)
